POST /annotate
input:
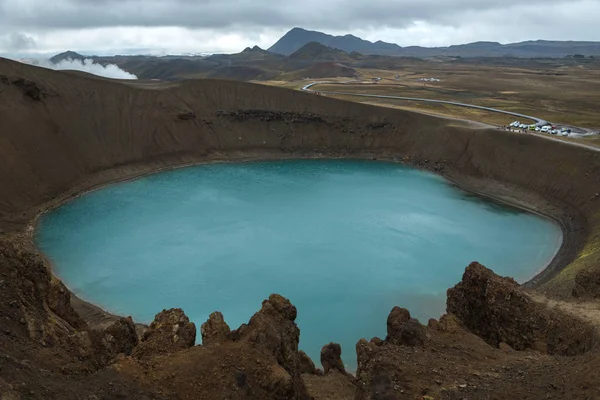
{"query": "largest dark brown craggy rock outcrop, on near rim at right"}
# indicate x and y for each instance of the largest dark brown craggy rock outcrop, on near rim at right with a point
(498, 310)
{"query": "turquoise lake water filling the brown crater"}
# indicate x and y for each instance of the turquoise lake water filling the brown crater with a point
(344, 240)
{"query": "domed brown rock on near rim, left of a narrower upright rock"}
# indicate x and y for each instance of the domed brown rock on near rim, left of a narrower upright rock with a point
(171, 331)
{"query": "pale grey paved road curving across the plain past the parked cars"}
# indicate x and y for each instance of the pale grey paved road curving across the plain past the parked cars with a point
(308, 88)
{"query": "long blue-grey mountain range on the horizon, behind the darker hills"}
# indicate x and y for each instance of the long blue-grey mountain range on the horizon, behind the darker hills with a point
(298, 37)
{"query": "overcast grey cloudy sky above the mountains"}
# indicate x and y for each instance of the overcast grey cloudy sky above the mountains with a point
(194, 26)
